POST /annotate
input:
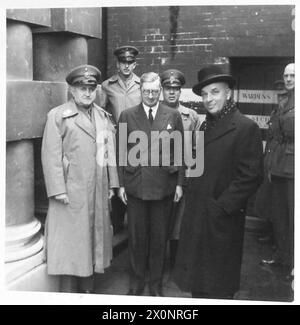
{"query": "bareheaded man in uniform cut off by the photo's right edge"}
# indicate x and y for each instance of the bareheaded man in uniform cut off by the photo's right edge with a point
(280, 168)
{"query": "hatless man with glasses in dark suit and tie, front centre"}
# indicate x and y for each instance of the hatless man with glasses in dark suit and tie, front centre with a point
(149, 188)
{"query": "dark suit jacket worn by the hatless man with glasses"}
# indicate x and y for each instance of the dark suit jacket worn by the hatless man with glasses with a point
(143, 180)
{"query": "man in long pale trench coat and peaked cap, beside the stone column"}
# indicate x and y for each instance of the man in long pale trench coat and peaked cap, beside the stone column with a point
(79, 164)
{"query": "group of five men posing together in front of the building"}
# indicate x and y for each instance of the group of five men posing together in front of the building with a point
(92, 153)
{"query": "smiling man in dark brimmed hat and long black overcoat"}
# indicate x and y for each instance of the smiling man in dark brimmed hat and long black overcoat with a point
(211, 240)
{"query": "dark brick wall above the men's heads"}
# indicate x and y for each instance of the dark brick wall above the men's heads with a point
(188, 37)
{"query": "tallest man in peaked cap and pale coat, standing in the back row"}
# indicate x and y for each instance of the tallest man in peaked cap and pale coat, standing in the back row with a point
(118, 93)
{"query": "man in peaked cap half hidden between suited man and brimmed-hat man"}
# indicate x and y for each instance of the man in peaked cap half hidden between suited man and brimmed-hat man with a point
(172, 80)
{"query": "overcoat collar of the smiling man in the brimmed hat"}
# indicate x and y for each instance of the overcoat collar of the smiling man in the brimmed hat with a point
(224, 126)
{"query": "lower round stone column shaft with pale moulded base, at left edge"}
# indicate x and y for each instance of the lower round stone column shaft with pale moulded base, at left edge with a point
(23, 237)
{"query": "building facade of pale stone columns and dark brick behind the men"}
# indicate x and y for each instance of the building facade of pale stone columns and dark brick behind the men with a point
(254, 43)
